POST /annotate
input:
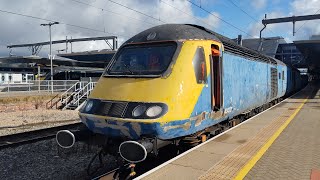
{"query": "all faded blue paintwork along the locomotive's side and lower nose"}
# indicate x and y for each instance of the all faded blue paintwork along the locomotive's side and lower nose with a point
(246, 85)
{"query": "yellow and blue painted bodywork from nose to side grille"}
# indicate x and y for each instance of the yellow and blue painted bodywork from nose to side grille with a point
(185, 118)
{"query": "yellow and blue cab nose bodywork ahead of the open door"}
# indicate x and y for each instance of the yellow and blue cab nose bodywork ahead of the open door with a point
(185, 99)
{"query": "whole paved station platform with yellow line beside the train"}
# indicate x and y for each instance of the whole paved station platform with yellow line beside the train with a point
(283, 142)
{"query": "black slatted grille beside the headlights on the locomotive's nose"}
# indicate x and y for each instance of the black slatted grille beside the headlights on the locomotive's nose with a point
(112, 109)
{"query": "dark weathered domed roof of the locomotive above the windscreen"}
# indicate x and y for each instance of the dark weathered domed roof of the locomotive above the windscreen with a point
(175, 32)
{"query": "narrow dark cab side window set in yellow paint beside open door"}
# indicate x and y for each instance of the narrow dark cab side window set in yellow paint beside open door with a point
(199, 65)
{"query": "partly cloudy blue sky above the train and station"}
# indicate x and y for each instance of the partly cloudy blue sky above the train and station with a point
(21, 19)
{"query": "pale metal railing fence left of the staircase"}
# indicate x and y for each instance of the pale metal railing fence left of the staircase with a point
(37, 85)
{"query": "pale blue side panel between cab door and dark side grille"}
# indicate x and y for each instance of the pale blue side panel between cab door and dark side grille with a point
(245, 83)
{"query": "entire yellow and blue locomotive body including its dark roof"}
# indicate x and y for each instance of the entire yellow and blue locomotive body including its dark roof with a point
(203, 85)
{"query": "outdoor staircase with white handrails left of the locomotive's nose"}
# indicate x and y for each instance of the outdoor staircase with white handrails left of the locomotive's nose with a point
(73, 98)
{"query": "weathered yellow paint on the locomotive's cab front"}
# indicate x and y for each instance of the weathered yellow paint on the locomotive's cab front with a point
(179, 90)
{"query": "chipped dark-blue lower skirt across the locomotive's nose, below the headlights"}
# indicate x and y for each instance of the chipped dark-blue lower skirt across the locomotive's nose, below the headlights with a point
(182, 127)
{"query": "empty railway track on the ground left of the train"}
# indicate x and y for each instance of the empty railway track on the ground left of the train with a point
(14, 140)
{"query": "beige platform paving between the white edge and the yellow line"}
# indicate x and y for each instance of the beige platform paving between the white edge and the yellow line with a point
(239, 146)
